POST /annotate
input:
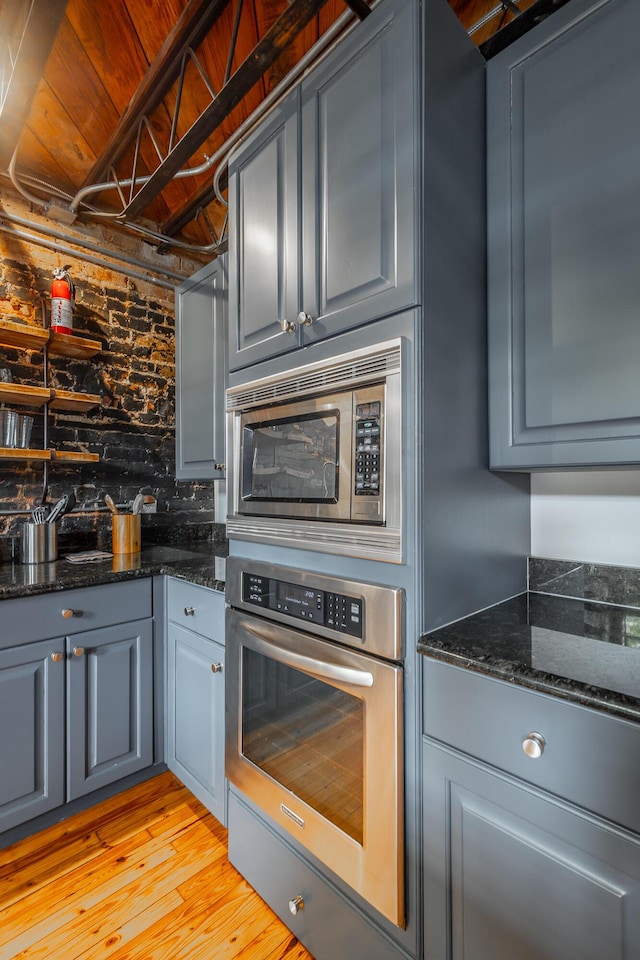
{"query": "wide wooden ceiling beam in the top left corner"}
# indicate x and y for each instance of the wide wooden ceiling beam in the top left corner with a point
(28, 33)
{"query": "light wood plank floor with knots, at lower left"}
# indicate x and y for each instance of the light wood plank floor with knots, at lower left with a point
(142, 876)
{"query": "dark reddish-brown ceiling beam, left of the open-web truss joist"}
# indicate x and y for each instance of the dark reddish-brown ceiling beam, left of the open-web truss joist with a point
(195, 22)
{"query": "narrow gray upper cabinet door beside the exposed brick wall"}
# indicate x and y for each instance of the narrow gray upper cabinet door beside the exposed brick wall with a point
(201, 373)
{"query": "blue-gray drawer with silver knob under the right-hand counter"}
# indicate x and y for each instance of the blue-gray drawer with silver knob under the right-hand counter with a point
(589, 758)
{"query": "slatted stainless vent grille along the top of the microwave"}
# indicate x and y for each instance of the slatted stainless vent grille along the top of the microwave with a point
(362, 368)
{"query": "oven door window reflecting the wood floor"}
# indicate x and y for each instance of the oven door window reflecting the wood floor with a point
(308, 736)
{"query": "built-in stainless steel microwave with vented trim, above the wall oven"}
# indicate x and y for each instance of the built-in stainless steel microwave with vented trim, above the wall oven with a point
(319, 445)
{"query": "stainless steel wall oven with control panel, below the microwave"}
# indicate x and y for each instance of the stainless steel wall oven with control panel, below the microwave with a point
(314, 718)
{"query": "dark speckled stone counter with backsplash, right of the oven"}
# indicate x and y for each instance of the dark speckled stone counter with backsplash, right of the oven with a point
(577, 648)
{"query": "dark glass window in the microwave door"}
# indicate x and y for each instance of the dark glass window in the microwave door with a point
(295, 459)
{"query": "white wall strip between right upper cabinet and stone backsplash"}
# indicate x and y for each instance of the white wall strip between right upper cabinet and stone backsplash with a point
(591, 516)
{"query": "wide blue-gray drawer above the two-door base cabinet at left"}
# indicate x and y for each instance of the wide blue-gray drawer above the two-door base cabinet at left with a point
(40, 617)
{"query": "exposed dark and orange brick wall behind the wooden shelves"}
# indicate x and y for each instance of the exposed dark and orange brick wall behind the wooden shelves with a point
(133, 431)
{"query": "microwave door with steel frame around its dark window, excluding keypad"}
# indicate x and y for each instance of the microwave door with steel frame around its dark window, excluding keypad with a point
(296, 459)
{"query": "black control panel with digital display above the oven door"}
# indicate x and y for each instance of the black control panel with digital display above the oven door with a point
(336, 611)
